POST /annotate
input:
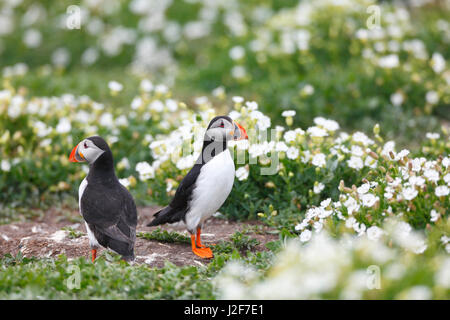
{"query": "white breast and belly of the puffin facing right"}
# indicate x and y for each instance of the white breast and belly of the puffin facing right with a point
(213, 186)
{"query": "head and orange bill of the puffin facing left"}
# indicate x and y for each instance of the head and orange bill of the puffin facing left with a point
(89, 150)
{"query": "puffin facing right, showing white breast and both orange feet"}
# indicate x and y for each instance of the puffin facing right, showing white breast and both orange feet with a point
(207, 185)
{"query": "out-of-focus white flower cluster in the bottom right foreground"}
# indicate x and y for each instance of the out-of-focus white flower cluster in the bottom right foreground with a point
(340, 269)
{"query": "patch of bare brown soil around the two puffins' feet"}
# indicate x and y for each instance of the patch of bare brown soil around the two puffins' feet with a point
(45, 237)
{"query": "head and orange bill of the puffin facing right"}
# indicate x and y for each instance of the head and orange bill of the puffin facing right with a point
(223, 128)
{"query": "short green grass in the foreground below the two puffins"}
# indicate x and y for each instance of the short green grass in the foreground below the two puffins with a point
(112, 278)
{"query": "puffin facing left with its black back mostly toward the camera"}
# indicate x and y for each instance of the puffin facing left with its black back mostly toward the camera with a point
(107, 207)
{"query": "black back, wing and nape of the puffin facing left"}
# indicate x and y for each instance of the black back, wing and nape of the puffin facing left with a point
(108, 207)
